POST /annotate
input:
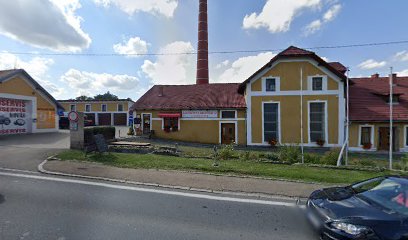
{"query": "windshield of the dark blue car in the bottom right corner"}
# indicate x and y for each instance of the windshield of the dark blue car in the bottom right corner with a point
(389, 193)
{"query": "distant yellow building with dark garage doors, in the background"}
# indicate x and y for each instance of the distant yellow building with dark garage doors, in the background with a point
(99, 113)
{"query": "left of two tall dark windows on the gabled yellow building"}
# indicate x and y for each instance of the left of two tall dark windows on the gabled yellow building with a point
(271, 122)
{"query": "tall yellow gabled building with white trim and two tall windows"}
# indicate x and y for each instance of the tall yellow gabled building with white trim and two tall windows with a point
(296, 90)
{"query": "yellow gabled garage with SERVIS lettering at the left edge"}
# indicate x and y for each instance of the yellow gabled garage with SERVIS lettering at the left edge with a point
(25, 106)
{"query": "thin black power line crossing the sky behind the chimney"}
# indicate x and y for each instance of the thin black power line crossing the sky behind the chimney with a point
(210, 52)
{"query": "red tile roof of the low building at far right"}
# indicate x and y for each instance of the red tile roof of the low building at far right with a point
(368, 99)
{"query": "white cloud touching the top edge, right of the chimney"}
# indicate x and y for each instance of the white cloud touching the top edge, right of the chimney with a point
(277, 15)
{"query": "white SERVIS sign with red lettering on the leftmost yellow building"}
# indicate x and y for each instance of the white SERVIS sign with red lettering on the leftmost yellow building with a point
(13, 116)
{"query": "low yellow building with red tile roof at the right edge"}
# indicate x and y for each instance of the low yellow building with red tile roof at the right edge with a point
(370, 113)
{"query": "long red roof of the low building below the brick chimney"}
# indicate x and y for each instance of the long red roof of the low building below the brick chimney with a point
(205, 96)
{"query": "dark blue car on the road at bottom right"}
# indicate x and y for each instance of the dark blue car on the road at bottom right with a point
(372, 209)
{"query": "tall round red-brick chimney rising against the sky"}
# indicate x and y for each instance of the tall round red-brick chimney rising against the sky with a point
(202, 48)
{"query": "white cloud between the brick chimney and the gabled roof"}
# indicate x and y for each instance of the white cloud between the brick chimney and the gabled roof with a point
(244, 67)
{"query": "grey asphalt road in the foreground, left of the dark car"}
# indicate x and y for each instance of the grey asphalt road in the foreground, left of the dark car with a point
(52, 208)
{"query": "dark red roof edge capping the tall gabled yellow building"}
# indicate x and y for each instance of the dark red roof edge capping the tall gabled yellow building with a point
(295, 52)
